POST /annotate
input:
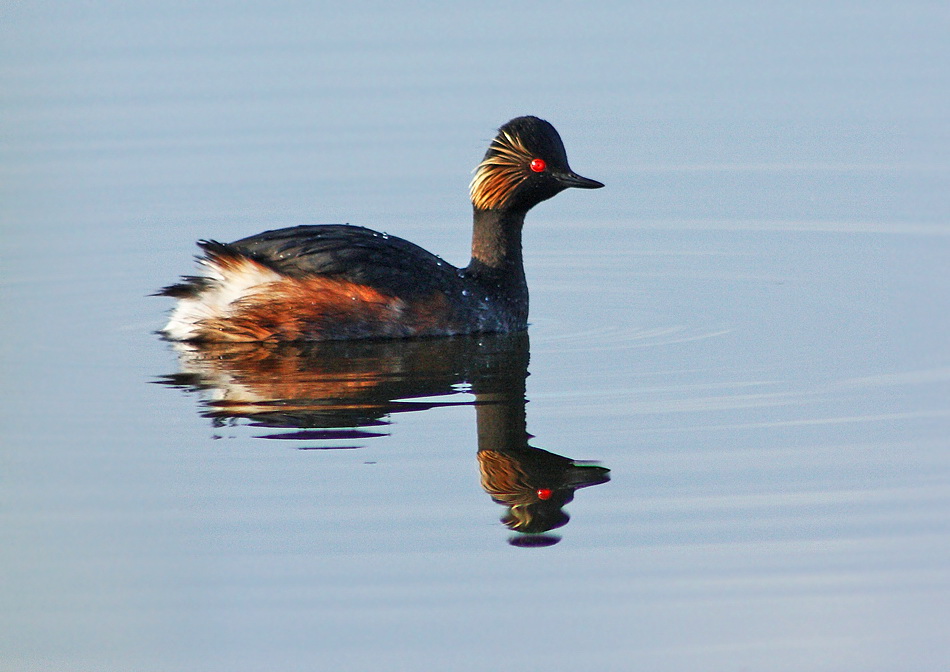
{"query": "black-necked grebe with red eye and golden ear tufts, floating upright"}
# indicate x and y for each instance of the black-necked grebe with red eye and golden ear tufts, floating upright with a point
(331, 282)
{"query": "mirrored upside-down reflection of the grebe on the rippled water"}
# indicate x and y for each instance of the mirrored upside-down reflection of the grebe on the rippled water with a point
(329, 392)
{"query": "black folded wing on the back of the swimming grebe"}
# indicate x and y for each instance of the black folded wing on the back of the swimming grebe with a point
(352, 253)
